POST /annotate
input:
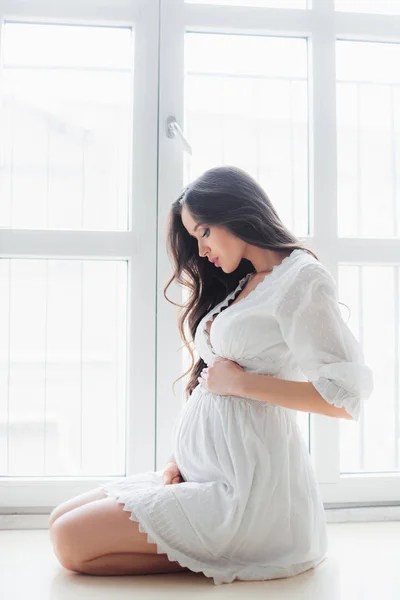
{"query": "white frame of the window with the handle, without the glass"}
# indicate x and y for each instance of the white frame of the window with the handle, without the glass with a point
(322, 26)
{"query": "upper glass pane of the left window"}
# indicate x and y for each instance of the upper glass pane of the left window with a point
(66, 127)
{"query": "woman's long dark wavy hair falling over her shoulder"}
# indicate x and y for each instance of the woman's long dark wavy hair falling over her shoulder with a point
(226, 196)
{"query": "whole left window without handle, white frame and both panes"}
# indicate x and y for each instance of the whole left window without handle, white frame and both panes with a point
(78, 152)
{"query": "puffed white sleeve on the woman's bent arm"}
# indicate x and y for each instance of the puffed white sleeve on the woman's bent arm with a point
(322, 344)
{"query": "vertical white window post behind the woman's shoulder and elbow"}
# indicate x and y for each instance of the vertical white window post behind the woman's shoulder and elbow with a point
(324, 431)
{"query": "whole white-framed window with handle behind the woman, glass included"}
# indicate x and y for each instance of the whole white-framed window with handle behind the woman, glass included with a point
(275, 92)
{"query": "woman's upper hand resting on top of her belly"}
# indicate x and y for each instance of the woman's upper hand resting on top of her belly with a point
(222, 377)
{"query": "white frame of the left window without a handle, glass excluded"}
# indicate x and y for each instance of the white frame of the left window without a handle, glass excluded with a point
(137, 246)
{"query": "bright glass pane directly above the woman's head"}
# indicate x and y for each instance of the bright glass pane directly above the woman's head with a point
(246, 105)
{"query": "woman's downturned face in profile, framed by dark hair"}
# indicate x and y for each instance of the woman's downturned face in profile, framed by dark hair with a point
(215, 242)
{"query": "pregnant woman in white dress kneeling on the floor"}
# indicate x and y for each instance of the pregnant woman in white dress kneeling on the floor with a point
(239, 499)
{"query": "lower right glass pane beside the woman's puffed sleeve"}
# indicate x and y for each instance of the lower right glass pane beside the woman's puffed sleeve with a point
(373, 444)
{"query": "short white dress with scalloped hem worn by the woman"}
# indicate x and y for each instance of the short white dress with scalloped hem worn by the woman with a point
(249, 507)
